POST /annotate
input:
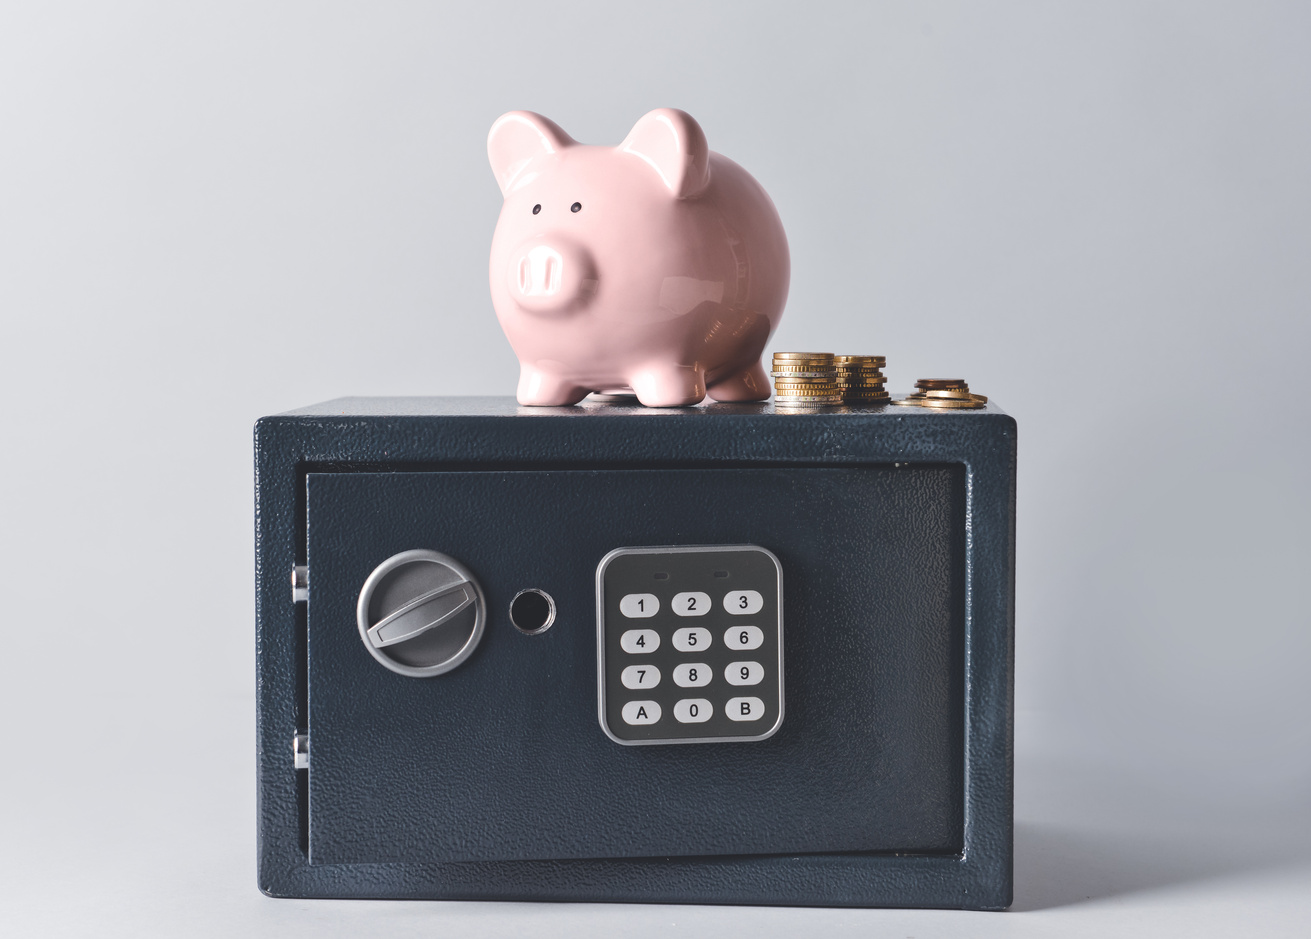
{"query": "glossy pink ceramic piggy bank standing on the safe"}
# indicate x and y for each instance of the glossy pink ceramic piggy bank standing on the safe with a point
(655, 267)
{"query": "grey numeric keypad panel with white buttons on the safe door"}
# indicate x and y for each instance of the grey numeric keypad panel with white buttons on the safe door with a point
(716, 677)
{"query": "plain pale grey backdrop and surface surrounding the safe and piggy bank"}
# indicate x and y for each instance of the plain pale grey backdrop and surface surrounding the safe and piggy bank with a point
(1099, 214)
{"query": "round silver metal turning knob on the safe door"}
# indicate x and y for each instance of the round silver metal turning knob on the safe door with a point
(421, 613)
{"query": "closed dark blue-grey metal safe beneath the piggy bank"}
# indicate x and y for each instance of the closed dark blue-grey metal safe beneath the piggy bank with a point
(709, 655)
